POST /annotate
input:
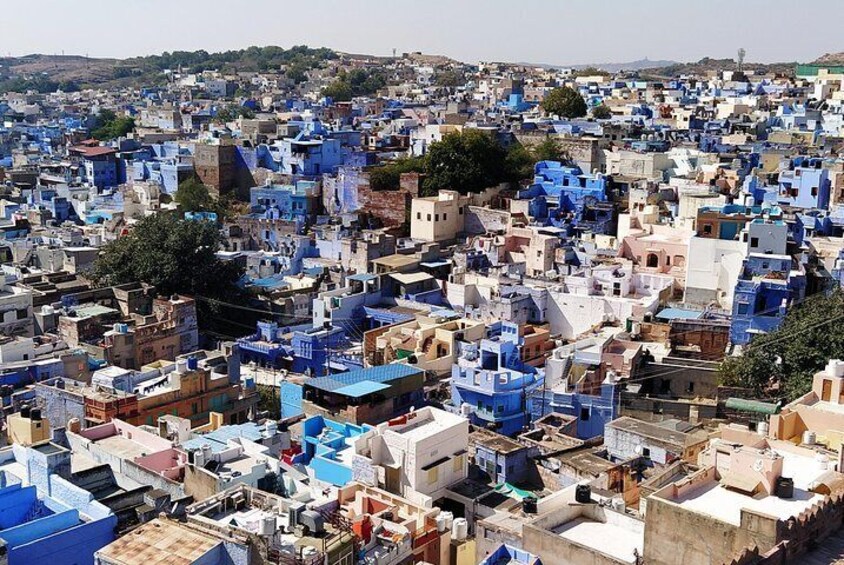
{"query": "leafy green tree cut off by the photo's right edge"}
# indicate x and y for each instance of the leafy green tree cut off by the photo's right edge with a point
(788, 357)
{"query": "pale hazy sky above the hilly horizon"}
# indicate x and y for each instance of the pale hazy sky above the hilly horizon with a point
(542, 31)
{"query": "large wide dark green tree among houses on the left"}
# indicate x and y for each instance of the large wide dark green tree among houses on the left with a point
(176, 256)
